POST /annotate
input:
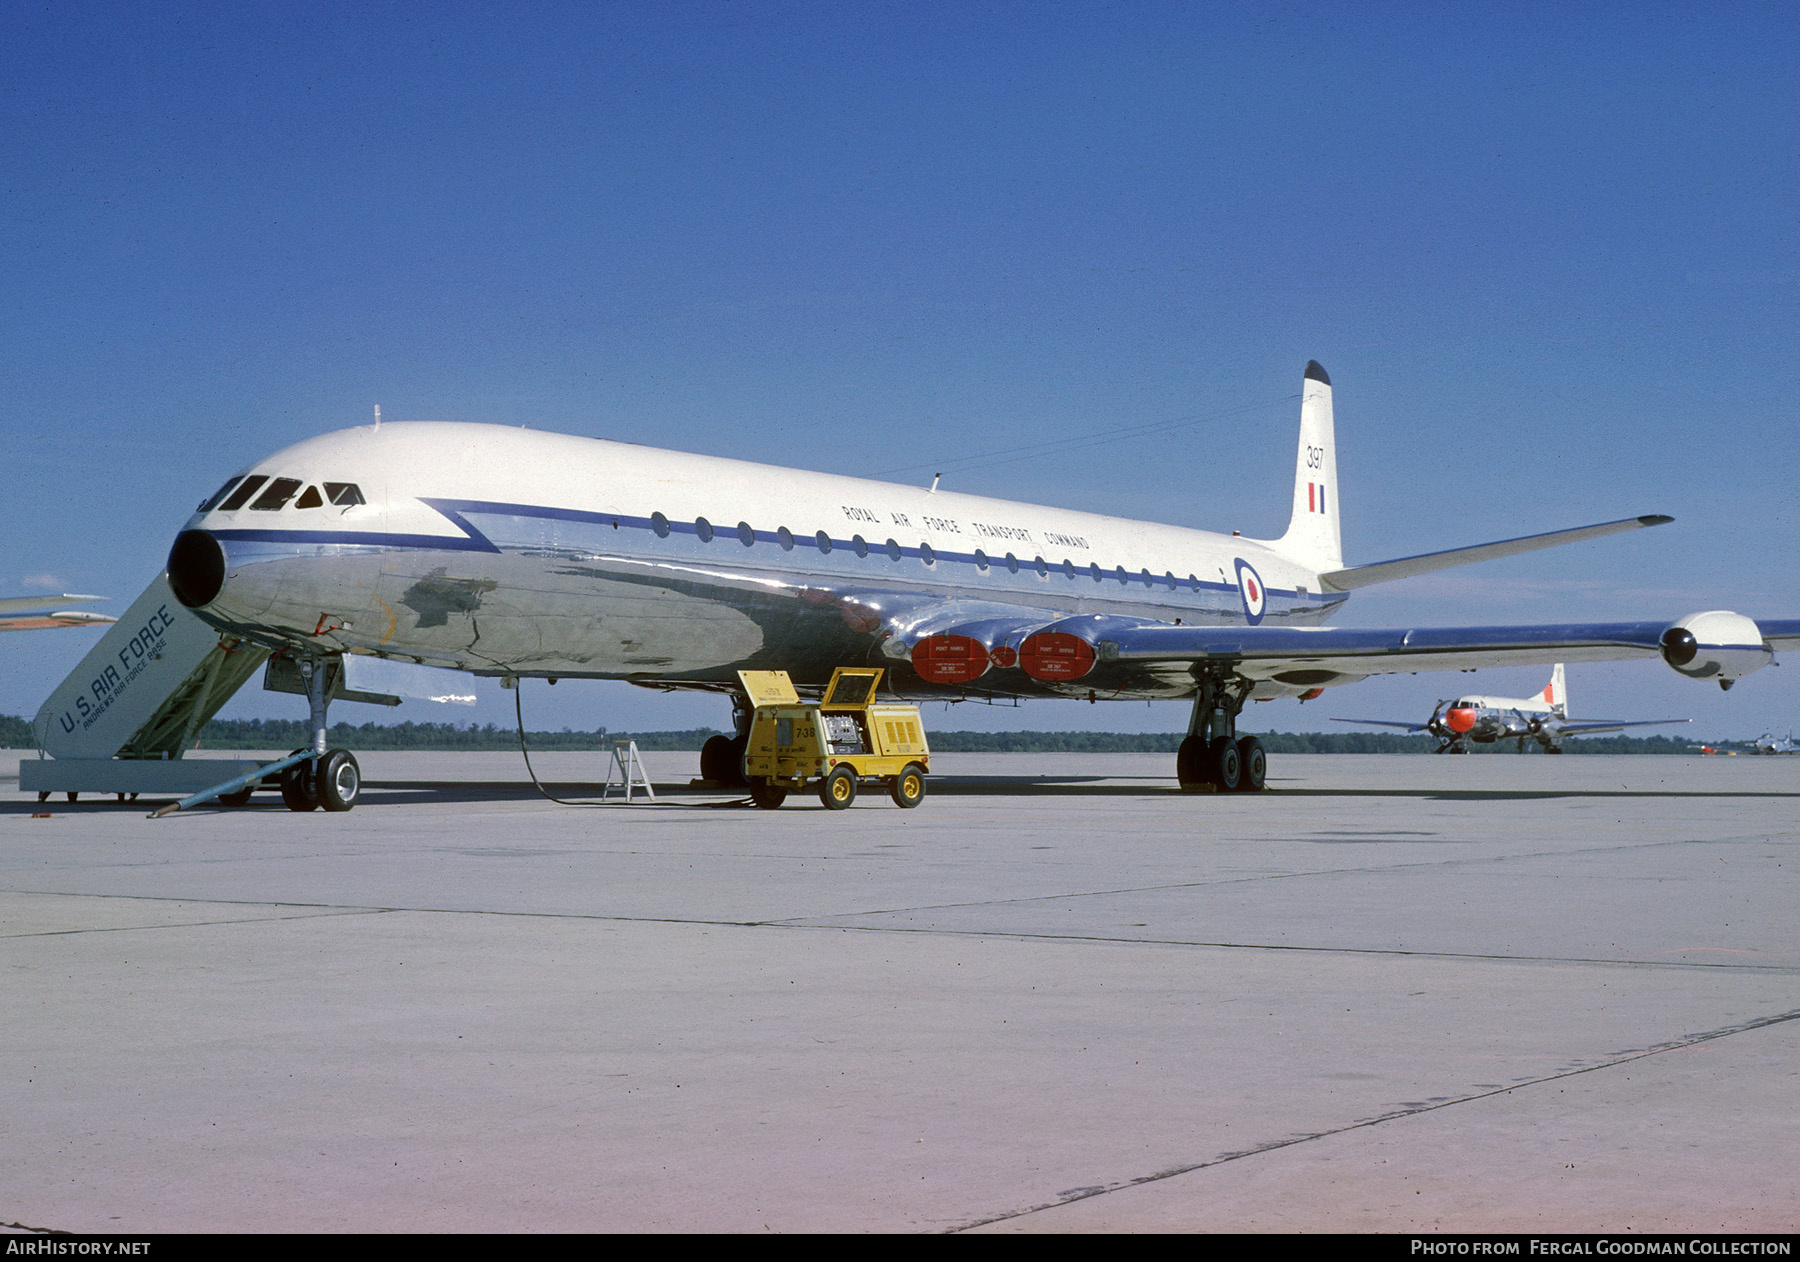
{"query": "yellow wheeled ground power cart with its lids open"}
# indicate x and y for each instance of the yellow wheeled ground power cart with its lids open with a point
(836, 743)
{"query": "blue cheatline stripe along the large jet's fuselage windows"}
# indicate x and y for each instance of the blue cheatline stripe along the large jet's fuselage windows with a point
(474, 541)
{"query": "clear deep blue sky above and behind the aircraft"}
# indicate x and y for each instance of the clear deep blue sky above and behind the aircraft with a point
(1547, 255)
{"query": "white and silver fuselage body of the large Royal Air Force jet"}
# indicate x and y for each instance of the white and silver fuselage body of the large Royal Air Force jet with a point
(516, 552)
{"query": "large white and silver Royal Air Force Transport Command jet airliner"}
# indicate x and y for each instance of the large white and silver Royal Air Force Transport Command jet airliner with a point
(516, 554)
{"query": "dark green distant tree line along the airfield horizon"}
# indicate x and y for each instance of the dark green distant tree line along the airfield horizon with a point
(285, 734)
